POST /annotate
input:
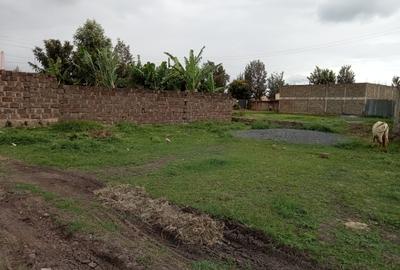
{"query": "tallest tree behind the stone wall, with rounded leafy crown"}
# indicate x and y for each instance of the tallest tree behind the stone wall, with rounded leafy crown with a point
(89, 39)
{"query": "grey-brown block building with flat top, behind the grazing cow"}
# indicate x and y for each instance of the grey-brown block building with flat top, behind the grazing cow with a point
(354, 99)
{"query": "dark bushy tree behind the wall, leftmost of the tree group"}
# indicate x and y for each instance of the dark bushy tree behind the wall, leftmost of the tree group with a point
(54, 59)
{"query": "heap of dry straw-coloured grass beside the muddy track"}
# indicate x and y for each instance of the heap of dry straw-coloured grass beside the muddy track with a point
(187, 227)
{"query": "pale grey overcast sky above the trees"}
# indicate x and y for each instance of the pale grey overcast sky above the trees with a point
(287, 35)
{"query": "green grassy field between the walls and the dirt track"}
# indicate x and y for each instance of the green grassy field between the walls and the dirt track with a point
(285, 190)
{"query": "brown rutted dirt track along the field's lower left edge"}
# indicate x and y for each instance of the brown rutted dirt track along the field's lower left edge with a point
(34, 234)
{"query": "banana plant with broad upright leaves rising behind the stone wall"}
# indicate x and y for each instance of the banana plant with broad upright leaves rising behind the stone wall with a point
(191, 72)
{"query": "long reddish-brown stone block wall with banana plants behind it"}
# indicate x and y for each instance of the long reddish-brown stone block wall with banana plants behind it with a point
(28, 98)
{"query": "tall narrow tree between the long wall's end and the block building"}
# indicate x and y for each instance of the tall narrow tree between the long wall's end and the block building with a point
(256, 77)
